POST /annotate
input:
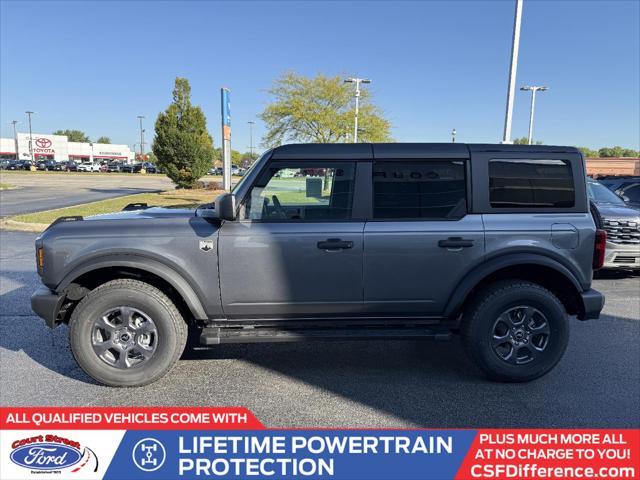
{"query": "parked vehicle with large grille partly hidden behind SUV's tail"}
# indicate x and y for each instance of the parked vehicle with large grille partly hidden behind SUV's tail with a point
(622, 224)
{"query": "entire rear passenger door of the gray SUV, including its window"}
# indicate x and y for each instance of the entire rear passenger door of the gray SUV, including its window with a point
(421, 240)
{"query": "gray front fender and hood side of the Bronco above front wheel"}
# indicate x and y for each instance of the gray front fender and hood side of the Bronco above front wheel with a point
(167, 245)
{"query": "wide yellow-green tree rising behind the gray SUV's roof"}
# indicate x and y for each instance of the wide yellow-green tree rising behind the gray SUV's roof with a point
(320, 110)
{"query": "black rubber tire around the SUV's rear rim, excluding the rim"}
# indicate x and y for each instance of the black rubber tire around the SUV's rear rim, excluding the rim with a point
(477, 329)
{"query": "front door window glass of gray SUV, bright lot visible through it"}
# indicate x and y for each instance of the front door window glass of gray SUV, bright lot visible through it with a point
(312, 192)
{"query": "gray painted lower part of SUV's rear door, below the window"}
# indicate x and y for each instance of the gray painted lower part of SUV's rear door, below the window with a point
(406, 272)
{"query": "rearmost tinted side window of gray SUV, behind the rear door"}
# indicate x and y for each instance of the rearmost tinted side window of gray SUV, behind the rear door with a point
(519, 183)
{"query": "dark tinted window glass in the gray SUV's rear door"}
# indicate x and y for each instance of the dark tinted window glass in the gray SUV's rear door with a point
(429, 190)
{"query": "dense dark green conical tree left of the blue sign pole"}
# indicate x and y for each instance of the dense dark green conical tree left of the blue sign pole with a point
(182, 144)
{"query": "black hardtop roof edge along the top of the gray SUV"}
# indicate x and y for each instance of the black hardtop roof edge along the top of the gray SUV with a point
(355, 151)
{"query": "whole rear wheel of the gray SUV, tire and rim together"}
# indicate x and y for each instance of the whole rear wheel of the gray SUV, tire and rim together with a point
(515, 331)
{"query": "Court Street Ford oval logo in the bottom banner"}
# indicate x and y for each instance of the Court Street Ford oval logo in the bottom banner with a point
(45, 453)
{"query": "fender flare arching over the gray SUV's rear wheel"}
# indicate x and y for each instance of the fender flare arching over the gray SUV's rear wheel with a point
(480, 272)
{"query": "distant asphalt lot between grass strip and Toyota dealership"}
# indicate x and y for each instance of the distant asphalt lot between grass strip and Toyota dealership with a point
(45, 191)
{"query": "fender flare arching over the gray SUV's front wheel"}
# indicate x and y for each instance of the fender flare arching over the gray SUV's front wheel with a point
(139, 262)
